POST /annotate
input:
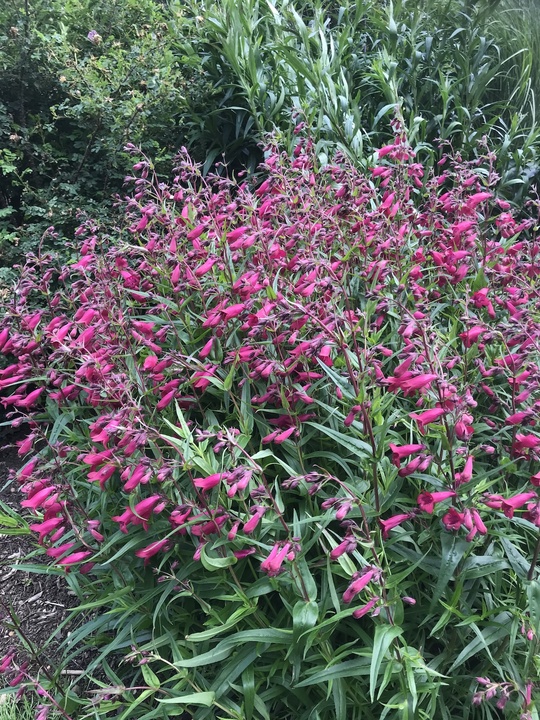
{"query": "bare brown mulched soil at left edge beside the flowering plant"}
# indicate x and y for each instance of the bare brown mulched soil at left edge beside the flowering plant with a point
(37, 603)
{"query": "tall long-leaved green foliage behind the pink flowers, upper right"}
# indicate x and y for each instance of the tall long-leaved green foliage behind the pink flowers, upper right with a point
(344, 68)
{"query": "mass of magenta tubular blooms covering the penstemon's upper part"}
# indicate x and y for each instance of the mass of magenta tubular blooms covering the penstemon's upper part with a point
(284, 378)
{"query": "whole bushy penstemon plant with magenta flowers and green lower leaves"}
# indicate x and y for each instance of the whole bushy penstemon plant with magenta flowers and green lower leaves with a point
(282, 441)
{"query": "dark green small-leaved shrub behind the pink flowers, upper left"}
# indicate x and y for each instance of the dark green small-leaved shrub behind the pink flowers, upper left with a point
(79, 79)
